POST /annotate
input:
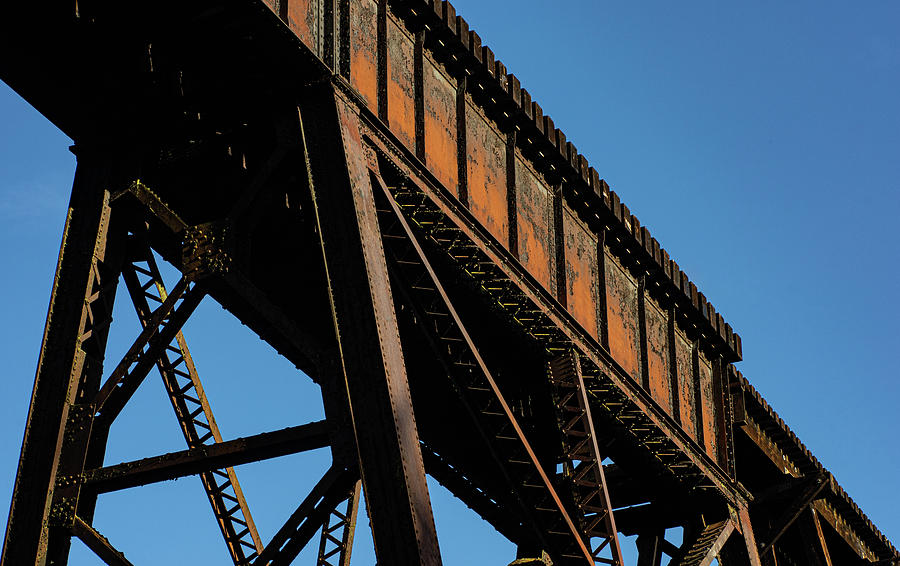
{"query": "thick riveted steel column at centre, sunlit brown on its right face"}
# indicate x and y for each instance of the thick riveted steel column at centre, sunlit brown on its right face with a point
(368, 337)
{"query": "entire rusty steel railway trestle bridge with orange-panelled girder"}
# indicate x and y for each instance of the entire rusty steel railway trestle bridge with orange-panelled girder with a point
(364, 185)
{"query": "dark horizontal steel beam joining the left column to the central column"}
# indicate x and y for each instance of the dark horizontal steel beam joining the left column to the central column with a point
(222, 455)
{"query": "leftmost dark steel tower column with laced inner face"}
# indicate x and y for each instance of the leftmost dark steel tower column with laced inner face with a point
(68, 375)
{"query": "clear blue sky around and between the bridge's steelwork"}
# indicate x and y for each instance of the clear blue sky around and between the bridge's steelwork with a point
(759, 143)
